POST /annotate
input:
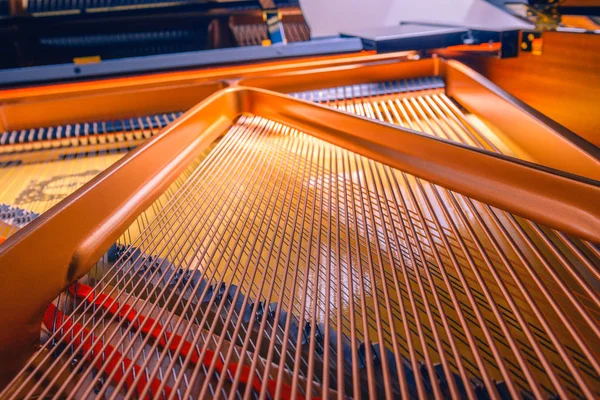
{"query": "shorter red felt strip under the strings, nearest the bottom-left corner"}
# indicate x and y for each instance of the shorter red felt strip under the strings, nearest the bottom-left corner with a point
(109, 356)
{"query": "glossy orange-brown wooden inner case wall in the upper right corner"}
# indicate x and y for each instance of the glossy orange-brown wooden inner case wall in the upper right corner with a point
(562, 83)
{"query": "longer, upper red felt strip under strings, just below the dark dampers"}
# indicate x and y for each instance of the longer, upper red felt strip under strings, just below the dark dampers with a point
(144, 324)
